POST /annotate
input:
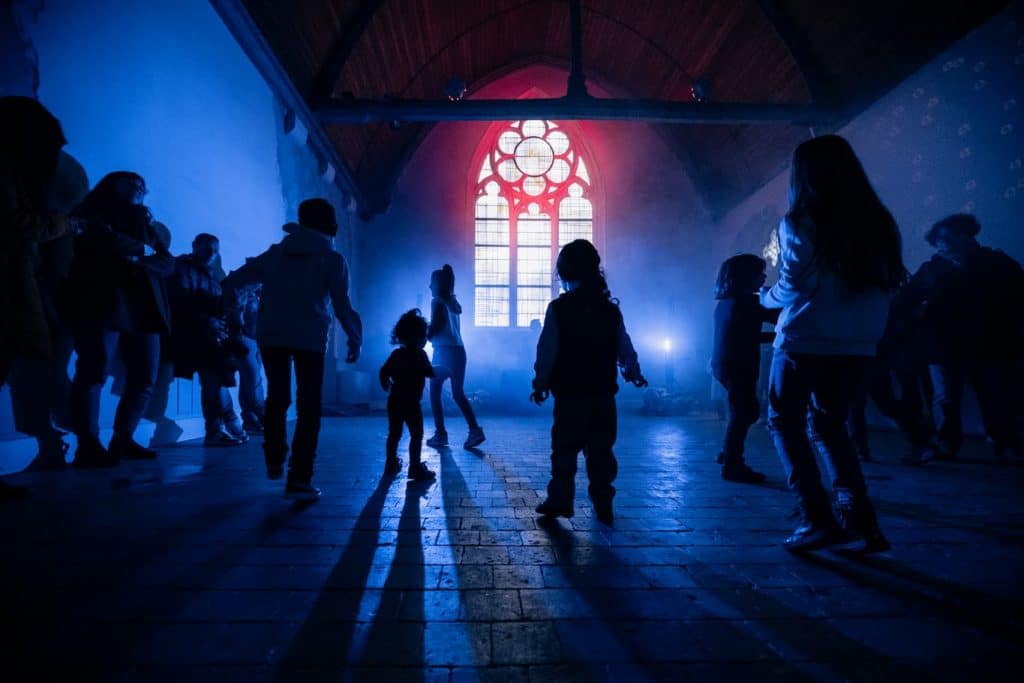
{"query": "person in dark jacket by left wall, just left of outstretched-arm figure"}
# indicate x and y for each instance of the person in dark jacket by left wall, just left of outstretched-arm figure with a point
(201, 341)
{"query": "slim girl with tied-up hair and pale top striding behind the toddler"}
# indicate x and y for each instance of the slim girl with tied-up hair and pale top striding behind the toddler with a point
(445, 334)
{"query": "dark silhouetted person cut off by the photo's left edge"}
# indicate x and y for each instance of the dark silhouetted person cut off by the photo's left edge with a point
(30, 145)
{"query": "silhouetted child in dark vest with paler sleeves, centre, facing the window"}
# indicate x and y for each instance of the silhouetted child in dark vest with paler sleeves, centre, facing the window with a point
(583, 340)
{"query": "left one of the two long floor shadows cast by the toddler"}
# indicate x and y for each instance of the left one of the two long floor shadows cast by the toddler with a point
(325, 641)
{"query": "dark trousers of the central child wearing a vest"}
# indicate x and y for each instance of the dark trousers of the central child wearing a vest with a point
(587, 423)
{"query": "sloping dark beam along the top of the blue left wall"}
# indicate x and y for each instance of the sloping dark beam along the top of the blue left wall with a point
(250, 38)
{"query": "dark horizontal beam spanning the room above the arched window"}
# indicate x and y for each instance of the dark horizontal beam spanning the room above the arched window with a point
(571, 109)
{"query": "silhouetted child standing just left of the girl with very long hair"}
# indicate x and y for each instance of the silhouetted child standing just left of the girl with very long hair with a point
(736, 360)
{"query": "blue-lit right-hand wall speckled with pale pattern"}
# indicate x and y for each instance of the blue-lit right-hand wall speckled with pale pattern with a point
(950, 139)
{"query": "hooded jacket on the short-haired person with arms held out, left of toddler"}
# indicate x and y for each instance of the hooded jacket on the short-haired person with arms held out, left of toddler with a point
(300, 276)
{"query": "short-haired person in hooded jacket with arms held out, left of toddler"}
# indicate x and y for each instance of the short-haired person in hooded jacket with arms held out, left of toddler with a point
(300, 276)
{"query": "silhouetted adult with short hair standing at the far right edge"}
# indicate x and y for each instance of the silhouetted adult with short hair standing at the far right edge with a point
(970, 302)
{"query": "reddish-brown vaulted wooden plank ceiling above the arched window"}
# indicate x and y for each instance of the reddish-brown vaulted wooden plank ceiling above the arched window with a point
(841, 53)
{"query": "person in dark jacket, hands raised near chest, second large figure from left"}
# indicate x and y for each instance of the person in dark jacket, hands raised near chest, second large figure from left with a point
(115, 301)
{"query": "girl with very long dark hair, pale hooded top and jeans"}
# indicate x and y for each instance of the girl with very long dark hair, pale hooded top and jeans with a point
(841, 260)
